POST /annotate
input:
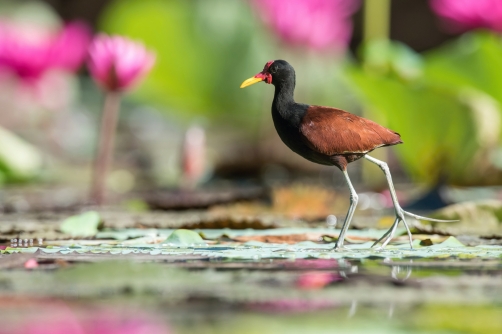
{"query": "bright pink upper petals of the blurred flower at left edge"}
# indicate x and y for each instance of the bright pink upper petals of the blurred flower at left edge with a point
(29, 51)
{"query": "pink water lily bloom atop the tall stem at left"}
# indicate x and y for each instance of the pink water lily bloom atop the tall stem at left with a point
(117, 63)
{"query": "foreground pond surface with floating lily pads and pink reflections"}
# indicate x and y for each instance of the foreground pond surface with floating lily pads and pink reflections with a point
(127, 283)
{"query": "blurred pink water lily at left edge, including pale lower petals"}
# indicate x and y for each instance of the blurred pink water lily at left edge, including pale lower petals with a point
(37, 64)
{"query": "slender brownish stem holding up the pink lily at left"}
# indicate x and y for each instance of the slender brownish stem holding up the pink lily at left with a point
(104, 149)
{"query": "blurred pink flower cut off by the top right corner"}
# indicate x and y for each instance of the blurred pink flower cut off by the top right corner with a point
(463, 15)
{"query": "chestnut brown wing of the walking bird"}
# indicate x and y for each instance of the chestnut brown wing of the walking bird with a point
(333, 131)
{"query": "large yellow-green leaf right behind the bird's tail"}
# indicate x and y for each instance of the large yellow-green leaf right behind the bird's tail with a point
(436, 125)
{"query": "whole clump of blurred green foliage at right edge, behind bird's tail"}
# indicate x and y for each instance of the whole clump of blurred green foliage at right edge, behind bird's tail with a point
(445, 105)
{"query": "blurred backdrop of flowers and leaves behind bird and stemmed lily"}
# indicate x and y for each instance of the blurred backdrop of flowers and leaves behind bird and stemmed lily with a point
(430, 70)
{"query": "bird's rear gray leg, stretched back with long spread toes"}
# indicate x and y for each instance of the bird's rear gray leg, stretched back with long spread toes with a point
(399, 211)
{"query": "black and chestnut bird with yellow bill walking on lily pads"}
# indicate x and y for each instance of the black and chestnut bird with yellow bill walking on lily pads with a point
(332, 137)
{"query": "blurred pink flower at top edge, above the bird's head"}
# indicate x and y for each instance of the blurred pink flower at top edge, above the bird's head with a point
(319, 24)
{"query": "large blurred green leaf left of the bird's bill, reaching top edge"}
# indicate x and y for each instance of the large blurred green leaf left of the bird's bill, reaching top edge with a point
(202, 51)
